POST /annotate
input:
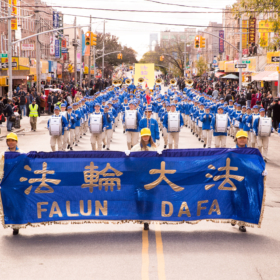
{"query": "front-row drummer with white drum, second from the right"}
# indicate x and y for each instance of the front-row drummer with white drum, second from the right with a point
(220, 137)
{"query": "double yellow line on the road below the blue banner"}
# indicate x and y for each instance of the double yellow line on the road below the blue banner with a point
(145, 254)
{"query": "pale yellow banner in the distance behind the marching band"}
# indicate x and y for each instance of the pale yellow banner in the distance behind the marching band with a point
(147, 72)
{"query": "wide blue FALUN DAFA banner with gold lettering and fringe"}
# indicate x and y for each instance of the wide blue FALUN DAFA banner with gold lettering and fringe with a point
(175, 186)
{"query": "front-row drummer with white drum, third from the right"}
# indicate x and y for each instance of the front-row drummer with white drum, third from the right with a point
(173, 132)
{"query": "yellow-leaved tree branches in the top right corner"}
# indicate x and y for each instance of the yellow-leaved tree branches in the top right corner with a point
(253, 8)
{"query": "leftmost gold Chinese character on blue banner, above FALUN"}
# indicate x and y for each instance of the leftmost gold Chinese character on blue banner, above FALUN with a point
(43, 180)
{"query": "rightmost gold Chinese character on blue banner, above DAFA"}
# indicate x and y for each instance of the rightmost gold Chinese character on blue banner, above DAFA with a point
(227, 177)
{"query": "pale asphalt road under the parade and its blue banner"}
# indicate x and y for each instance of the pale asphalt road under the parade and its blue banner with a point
(124, 251)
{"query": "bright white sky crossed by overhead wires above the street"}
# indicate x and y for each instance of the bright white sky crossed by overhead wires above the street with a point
(137, 35)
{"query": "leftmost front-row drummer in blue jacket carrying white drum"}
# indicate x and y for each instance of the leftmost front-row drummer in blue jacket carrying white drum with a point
(56, 125)
